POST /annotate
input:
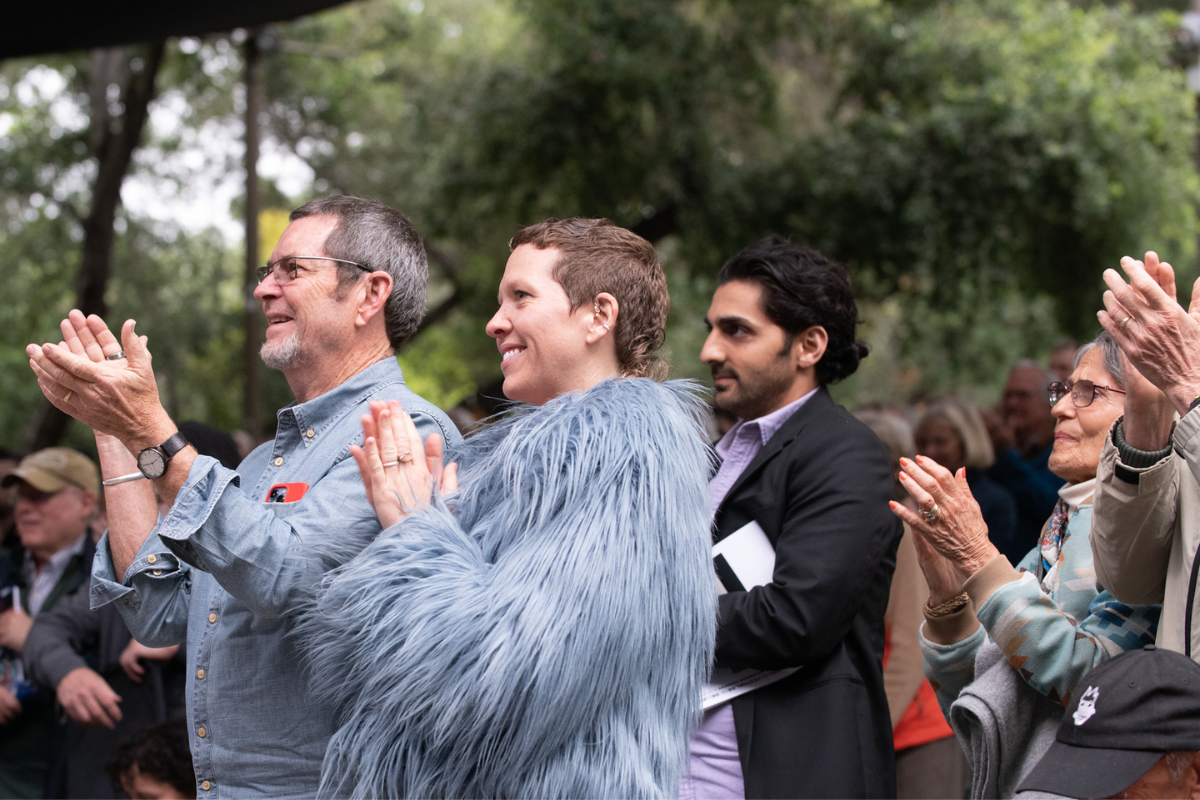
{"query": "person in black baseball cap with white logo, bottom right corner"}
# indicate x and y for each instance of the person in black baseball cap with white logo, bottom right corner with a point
(1132, 730)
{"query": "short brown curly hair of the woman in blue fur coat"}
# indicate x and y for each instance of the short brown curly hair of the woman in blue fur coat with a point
(597, 256)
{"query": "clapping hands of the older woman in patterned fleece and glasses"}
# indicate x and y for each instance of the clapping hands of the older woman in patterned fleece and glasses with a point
(950, 532)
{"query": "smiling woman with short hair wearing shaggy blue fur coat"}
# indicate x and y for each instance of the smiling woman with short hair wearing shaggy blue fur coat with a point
(544, 631)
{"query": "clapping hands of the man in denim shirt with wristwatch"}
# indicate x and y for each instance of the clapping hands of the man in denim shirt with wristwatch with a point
(118, 396)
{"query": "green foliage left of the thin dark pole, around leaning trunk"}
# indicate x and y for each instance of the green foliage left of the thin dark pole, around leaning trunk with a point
(184, 290)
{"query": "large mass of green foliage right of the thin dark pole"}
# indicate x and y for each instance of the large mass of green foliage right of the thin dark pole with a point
(977, 165)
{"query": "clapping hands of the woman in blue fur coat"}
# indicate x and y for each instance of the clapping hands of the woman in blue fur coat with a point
(397, 479)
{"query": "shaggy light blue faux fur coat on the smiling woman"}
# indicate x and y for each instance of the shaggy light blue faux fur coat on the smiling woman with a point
(549, 636)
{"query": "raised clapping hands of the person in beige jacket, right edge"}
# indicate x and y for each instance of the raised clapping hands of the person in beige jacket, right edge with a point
(1156, 334)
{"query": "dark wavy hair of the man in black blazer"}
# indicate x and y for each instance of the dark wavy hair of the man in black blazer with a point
(802, 288)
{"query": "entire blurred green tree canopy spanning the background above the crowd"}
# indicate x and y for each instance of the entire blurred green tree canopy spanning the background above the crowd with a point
(976, 166)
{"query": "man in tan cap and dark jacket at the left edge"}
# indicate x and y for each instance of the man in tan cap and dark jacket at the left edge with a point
(57, 492)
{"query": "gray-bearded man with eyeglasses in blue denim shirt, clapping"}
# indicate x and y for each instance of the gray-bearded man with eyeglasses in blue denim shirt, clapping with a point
(235, 561)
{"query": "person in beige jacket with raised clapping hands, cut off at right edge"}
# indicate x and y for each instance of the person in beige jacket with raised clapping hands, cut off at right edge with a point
(1148, 500)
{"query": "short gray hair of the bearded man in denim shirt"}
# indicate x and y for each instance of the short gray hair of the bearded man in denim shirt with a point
(382, 239)
